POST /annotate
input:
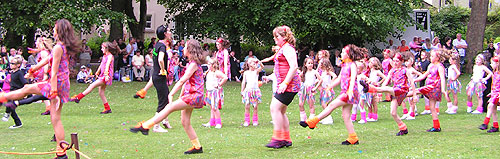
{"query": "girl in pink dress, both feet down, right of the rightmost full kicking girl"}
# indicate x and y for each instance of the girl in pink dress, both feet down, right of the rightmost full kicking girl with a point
(434, 86)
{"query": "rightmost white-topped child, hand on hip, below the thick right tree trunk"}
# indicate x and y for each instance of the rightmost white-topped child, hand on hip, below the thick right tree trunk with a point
(477, 85)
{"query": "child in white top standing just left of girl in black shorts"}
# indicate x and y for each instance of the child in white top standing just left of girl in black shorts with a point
(250, 91)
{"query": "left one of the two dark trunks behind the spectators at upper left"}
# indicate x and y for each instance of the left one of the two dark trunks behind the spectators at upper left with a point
(116, 28)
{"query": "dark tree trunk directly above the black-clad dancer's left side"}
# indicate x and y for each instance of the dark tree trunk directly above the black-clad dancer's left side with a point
(136, 28)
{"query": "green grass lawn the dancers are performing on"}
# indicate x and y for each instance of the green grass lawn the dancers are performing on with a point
(106, 136)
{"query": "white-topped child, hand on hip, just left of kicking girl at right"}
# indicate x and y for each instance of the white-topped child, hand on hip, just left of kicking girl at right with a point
(376, 79)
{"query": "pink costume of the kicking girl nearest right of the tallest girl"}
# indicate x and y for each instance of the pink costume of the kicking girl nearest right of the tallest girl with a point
(345, 78)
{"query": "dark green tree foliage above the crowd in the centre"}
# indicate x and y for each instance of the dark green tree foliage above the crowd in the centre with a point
(315, 22)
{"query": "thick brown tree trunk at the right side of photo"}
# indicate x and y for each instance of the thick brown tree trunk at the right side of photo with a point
(475, 31)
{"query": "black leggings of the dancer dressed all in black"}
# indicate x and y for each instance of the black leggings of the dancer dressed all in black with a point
(160, 83)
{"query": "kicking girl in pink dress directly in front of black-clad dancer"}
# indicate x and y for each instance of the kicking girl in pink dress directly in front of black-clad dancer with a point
(191, 97)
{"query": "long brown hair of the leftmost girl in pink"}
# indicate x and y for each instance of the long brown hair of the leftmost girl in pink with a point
(66, 35)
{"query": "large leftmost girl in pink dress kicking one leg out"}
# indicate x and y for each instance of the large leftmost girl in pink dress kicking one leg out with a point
(56, 89)
